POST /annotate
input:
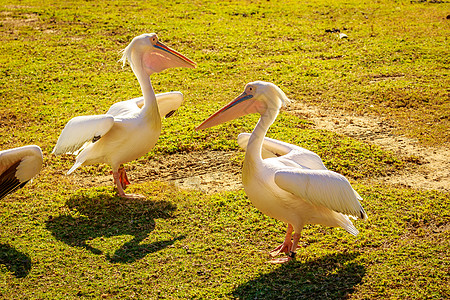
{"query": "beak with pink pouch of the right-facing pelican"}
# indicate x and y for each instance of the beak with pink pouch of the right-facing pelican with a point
(163, 57)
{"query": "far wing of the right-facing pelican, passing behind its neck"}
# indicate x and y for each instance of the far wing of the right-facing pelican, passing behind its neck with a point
(167, 102)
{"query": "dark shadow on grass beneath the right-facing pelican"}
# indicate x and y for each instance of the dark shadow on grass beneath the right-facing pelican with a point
(103, 216)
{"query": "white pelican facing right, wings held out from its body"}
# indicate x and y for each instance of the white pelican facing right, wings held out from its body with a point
(129, 129)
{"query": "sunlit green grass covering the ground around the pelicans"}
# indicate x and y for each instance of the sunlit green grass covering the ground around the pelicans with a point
(59, 60)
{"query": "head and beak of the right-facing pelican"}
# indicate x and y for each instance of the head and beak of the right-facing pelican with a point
(153, 56)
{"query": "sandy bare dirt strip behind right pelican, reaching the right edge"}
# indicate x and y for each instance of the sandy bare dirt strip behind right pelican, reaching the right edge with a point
(433, 171)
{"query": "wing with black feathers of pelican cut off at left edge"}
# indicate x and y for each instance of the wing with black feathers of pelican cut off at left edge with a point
(17, 167)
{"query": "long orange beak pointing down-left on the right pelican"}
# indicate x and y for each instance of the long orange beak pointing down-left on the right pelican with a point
(243, 105)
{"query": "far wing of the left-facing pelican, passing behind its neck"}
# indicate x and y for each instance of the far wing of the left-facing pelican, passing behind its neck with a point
(276, 148)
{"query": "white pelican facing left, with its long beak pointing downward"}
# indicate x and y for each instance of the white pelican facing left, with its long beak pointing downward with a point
(284, 181)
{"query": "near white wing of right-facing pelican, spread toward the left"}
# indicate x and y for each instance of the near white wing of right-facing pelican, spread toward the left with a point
(81, 131)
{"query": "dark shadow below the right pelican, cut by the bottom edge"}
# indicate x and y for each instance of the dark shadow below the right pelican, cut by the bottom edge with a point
(329, 277)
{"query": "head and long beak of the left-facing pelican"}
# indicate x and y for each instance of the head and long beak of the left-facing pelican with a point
(258, 97)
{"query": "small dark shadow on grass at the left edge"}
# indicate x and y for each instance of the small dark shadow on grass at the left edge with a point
(15, 261)
